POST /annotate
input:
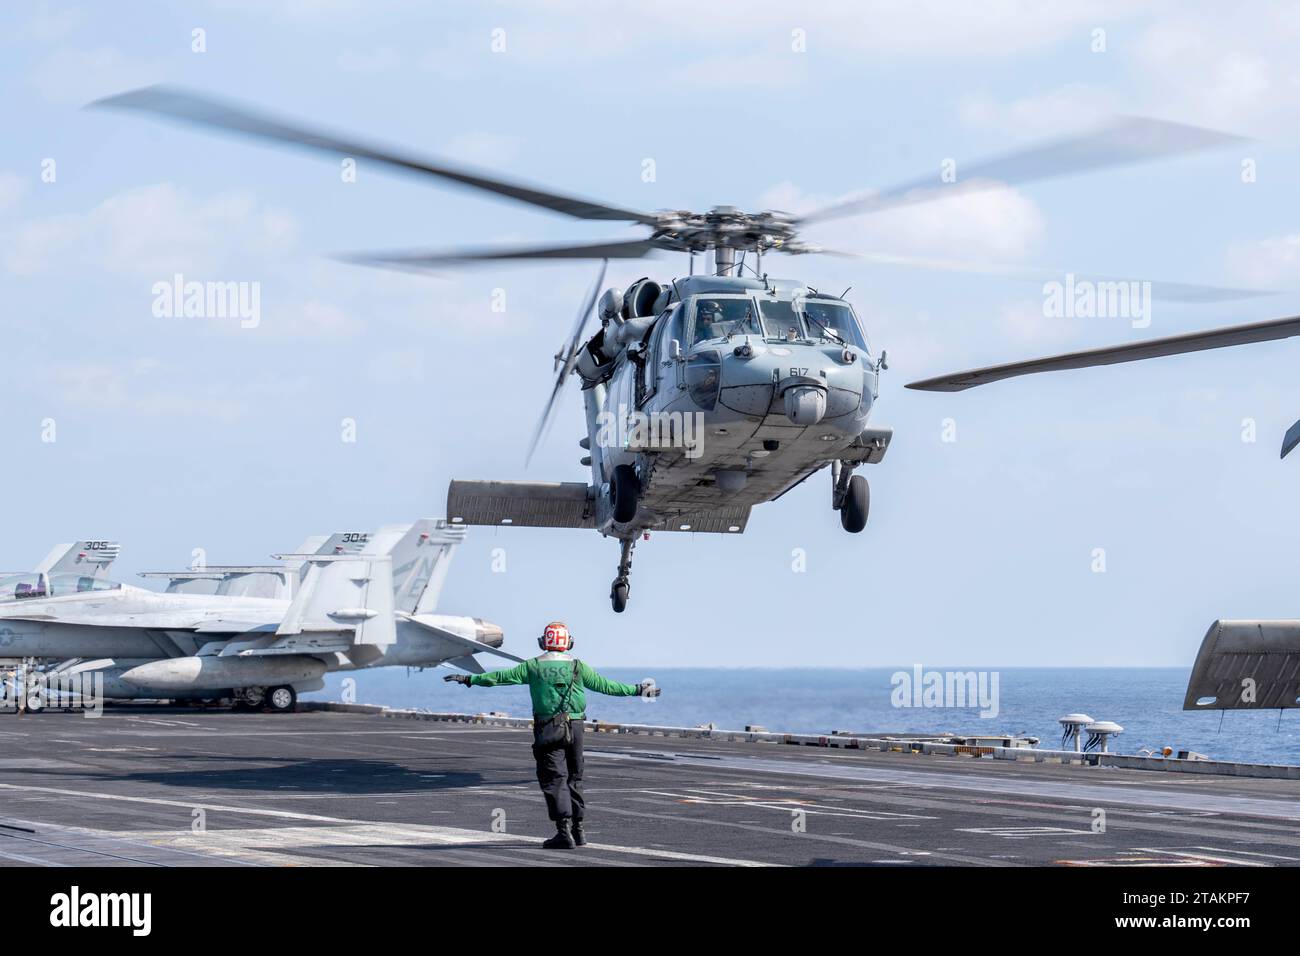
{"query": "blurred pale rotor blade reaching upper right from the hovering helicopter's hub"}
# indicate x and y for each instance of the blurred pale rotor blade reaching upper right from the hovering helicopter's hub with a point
(1123, 141)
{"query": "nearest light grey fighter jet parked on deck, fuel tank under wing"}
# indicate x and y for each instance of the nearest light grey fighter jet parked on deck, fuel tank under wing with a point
(353, 609)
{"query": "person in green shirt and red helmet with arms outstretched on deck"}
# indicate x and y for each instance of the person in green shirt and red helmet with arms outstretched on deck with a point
(557, 684)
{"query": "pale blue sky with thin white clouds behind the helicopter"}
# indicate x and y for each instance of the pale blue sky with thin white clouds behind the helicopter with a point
(1102, 517)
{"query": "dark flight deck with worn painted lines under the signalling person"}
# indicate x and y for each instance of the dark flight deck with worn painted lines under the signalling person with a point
(180, 788)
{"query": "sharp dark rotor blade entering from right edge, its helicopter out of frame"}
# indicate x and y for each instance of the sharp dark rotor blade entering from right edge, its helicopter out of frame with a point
(1113, 356)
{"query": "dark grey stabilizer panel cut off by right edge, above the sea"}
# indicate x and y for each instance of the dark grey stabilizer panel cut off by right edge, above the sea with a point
(1247, 665)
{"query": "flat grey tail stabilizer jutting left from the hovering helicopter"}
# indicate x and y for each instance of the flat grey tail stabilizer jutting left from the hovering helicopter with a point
(528, 504)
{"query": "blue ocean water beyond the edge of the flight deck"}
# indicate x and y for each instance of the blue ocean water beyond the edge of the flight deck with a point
(1146, 702)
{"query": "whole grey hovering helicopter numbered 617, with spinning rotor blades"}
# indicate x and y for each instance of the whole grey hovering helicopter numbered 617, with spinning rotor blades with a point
(712, 393)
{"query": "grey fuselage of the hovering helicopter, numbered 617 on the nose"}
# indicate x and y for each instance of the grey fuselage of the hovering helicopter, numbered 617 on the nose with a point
(720, 417)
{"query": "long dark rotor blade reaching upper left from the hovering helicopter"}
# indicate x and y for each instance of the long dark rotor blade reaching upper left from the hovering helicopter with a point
(188, 107)
